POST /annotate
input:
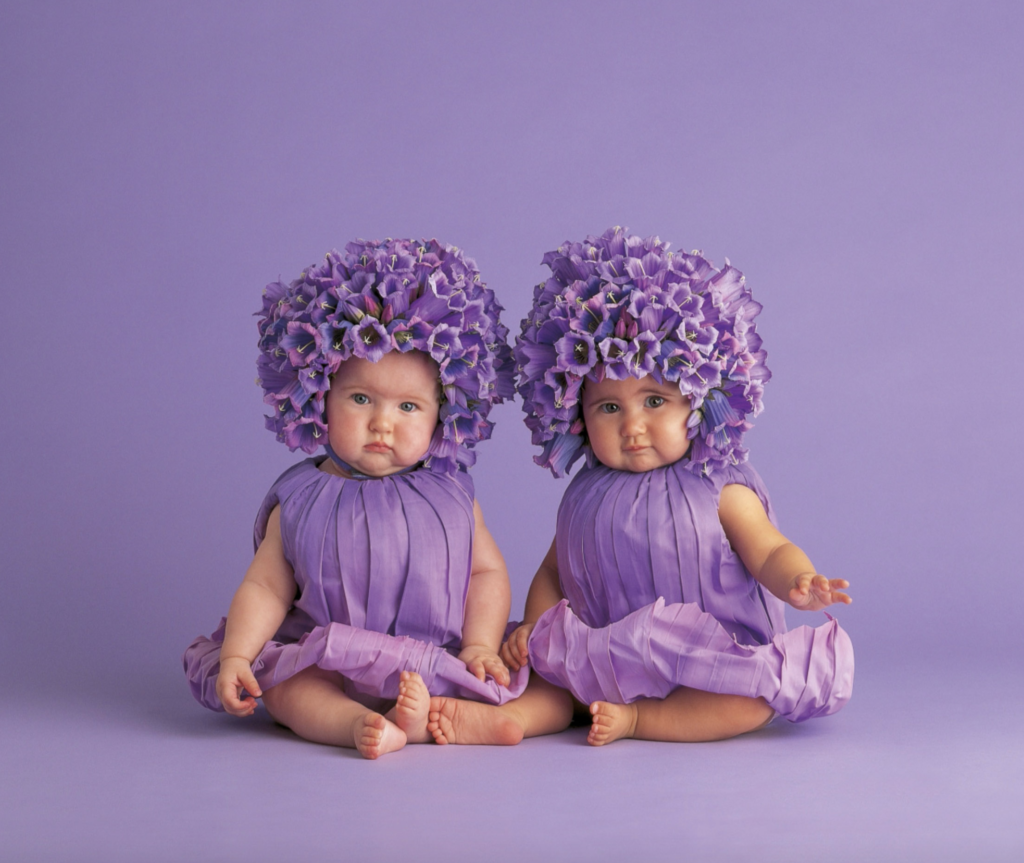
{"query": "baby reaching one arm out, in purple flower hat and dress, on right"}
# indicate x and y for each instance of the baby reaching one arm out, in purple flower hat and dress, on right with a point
(660, 605)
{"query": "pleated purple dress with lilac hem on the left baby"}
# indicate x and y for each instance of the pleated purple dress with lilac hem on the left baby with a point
(382, 569)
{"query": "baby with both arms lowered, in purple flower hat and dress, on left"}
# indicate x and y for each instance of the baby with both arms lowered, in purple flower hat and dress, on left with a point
(375, 581)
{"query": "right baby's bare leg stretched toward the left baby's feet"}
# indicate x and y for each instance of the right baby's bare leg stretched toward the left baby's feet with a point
(543, 709)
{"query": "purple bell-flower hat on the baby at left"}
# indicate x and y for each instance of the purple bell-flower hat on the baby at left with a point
(378, 297)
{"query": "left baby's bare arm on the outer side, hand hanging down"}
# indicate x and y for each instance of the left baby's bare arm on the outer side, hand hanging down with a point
(258, 612)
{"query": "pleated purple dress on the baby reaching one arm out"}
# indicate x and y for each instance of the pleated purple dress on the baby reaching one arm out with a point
(656, 598)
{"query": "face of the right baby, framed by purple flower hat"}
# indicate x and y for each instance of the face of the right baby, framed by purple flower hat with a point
(636, 425)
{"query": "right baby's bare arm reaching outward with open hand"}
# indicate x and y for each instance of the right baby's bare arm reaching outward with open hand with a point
(774, 560)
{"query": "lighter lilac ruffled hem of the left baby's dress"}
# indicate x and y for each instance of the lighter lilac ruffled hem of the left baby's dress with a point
(370, 663)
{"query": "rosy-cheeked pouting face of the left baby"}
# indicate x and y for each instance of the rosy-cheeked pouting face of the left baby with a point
(381, 416)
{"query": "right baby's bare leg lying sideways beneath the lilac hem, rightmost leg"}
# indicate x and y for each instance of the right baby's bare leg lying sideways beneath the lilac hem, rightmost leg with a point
(687, 716)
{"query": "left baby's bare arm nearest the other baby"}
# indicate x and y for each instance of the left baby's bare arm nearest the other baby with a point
(488, 603)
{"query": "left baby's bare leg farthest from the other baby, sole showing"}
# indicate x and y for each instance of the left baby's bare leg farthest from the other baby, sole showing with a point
(314, 706)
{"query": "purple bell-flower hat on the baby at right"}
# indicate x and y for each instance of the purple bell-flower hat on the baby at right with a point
(620, 307)
